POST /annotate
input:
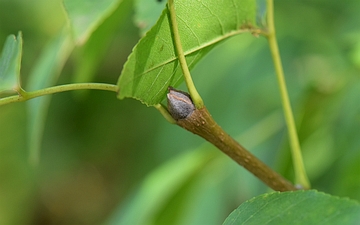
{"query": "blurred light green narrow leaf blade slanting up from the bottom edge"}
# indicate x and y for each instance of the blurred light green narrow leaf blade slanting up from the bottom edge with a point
(159, 187)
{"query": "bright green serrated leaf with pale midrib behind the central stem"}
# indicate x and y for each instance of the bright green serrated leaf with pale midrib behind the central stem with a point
(152, 66)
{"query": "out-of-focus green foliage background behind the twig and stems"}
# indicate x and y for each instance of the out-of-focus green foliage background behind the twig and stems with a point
(105, 161)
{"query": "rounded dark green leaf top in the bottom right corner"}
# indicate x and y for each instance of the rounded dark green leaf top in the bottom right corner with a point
(299, 207)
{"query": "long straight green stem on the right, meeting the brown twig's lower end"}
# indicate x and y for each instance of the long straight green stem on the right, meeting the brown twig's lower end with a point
(300, 173)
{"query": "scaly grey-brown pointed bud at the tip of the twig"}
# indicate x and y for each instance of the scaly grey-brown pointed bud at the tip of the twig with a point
(180, 104)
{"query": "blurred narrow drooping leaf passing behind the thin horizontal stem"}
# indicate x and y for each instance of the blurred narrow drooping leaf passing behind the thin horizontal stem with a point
(45, 74)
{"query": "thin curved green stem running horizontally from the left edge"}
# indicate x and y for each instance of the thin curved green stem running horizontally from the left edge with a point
(24, 96)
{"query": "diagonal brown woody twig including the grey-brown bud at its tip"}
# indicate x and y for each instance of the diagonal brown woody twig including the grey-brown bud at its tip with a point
(200, 122)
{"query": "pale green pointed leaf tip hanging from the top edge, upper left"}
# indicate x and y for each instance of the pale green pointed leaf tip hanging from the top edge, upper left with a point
(86, 15)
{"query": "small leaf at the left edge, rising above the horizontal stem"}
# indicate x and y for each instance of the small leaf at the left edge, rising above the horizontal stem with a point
(10, 63)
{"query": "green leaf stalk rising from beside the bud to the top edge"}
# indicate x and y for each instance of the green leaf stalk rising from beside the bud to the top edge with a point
(196, 98)
